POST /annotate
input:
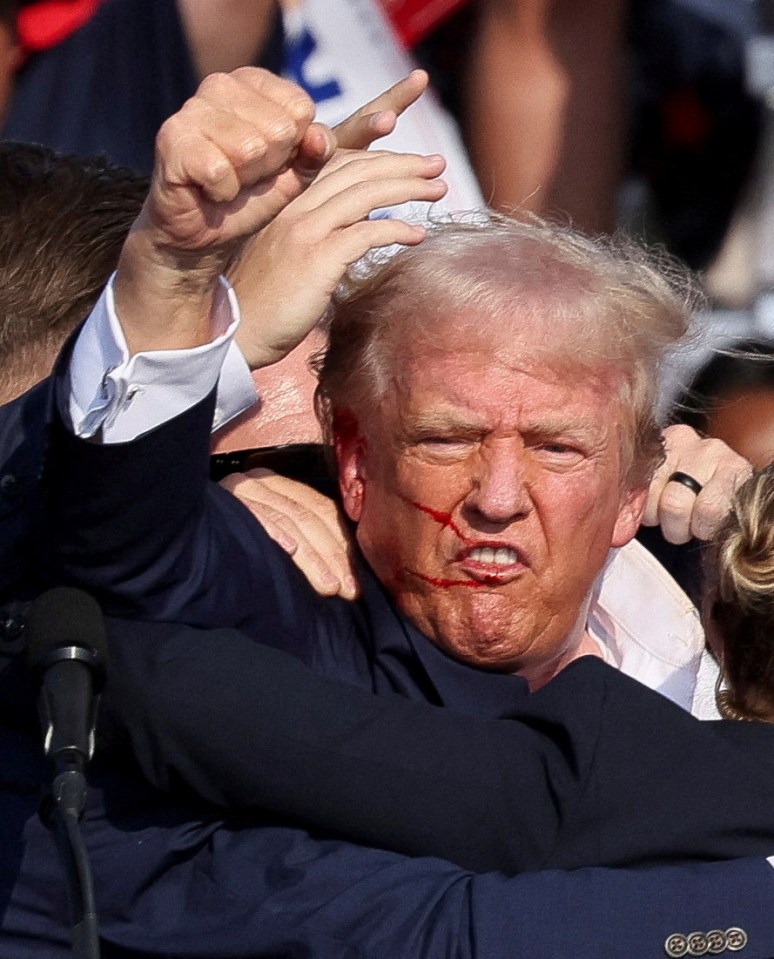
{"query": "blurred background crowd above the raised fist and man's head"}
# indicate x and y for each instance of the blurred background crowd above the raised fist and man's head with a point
(609, 114)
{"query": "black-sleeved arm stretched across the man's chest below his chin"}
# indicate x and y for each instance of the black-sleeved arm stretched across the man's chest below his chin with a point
(377, 769)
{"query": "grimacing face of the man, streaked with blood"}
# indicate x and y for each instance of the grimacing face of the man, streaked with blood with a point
(488, 491)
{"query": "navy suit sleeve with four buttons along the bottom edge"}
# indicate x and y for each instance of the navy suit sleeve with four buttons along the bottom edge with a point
(210, 891)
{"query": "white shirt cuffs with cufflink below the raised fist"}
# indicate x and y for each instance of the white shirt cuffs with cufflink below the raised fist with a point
(122, 396)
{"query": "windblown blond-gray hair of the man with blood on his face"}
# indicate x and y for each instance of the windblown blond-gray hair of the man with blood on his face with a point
(612, 304)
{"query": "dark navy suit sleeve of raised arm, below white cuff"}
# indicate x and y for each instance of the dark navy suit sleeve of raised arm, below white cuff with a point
(141, 526)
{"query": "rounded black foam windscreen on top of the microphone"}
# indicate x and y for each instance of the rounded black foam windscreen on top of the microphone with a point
(64, 617)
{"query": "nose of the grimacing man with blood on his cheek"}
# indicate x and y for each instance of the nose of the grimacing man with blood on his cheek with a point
(499, 492)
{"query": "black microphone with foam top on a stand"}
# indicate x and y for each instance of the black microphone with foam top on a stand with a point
(67, 649)
